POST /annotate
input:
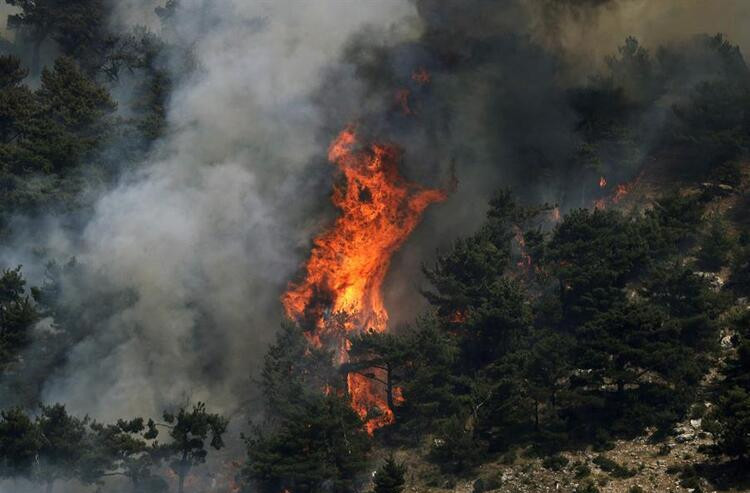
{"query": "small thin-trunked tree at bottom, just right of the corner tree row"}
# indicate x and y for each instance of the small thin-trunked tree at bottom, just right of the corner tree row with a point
(189, 431)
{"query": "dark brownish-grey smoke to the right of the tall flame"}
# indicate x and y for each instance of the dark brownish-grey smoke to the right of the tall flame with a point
(498, 110)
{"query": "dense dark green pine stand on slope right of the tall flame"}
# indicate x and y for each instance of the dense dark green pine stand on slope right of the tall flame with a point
(608, 335)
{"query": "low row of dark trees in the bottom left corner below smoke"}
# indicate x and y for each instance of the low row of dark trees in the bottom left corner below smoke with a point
(54, 446)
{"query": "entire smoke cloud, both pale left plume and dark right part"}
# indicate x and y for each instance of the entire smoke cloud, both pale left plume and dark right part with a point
(181, 266)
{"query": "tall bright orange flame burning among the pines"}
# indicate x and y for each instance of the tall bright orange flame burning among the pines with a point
(348, 263)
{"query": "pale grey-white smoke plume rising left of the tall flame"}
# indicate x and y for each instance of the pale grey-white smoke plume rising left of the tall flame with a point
(204, 237)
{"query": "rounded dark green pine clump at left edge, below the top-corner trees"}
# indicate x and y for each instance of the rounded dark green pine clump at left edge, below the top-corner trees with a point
(47, 135)
